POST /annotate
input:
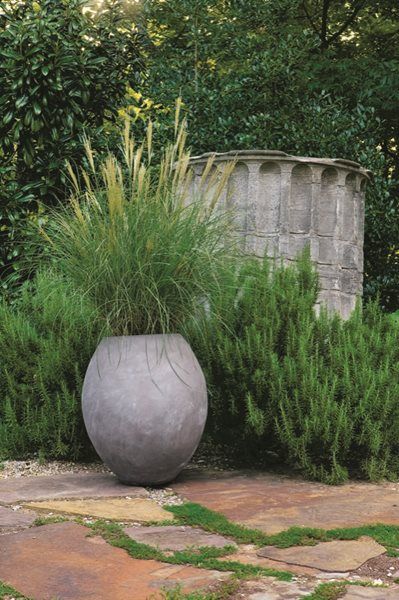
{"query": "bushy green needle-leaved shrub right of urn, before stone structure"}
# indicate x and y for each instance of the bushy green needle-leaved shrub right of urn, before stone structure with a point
(320, 392)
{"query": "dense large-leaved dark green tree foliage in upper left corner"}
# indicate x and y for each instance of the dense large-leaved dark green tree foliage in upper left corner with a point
(63, 72)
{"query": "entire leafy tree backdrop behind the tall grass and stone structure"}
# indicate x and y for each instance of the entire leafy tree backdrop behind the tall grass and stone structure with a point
(310, 77)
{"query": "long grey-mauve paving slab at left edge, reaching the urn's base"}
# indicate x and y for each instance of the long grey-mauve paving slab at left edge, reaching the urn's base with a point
(68, 485)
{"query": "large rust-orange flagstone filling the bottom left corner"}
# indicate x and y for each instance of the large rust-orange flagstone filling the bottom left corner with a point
(60, 561)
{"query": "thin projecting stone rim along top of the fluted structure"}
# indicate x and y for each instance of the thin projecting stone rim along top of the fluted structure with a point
(256, 155)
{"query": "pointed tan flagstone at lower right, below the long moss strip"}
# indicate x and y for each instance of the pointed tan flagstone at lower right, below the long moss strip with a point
(337, 555)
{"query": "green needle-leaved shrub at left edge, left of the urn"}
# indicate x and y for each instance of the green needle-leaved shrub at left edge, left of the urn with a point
(46, 341)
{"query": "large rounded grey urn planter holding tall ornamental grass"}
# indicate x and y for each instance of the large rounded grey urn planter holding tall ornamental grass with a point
(144, 406)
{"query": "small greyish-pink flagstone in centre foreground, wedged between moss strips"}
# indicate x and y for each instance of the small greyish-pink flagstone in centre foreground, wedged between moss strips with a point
(176, 537)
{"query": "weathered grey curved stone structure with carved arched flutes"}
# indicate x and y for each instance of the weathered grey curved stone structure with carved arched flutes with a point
(283, 203)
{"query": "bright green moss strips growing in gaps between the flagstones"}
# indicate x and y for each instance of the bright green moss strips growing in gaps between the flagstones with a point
(207, 557)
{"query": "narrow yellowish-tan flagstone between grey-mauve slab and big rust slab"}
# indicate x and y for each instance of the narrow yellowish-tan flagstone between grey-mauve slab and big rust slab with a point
(117, 509)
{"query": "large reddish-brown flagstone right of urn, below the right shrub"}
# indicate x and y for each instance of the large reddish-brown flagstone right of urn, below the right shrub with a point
(273, 503)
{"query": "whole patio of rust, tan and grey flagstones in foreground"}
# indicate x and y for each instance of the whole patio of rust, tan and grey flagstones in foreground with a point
(64, 560)
